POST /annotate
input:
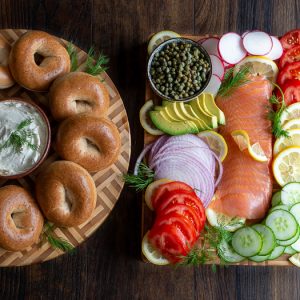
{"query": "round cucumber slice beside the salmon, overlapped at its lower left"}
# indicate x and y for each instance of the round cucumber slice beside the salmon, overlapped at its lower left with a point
(283, 224)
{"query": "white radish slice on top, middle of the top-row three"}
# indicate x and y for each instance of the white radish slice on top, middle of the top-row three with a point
(257, 43)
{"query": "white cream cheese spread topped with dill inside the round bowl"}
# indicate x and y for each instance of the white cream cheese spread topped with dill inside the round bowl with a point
(23, 137)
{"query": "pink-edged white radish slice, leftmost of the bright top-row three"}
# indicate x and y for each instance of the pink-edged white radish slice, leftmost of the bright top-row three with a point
(231, 48)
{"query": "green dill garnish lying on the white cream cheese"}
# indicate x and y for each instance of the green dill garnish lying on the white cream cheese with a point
(20, 137)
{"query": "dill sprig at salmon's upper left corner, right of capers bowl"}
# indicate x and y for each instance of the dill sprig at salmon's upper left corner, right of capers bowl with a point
(232, 82)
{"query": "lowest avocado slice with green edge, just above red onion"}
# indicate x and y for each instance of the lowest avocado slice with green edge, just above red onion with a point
(172, 127)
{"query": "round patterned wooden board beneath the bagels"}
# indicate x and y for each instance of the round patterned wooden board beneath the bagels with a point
(109, 182)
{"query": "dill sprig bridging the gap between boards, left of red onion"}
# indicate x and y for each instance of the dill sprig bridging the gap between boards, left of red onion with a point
(140, 181)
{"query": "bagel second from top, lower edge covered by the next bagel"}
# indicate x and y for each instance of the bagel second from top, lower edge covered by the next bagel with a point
(78, 92)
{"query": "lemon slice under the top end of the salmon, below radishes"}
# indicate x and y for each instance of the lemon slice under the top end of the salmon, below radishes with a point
(259, 66)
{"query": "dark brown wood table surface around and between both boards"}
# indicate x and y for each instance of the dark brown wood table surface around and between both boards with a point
(108, 265)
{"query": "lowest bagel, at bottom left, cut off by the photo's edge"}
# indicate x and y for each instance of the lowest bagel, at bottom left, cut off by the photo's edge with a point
(21, 221)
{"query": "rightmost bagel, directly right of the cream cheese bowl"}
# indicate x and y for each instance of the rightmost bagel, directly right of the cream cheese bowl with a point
(92, 142)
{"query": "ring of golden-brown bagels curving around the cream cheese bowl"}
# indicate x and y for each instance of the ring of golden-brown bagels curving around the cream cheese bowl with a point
(87, 140)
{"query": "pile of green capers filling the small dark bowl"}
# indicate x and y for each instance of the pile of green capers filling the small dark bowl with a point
(179, 70)
